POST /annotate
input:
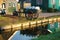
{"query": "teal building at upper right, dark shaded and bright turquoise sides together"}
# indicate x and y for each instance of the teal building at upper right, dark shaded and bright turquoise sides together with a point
(47, 4)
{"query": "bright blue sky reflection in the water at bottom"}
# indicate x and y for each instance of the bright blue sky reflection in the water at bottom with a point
(19, 36)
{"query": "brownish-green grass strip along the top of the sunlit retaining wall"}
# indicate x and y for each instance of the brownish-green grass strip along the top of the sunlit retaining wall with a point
(9, 20)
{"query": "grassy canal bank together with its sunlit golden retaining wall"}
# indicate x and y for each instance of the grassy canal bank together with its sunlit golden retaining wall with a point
(21, 23)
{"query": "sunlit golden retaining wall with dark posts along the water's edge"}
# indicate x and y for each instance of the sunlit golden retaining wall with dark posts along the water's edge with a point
(30, 24)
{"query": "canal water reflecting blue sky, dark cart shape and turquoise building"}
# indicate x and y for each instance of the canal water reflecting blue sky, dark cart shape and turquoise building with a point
(30, 34)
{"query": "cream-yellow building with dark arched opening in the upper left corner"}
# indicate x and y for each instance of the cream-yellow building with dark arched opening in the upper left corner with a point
(8, 5)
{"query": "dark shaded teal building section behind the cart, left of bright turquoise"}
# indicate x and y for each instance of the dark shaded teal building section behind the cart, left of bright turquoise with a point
(43, 4)
